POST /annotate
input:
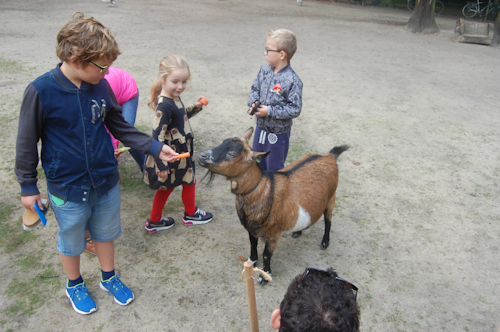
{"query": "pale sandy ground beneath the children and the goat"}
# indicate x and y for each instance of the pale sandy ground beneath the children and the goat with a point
(416, 226)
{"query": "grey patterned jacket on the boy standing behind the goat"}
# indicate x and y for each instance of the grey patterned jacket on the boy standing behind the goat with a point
(282, 93)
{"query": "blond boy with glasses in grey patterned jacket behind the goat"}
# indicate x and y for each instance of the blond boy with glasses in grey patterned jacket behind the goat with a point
(277, 91)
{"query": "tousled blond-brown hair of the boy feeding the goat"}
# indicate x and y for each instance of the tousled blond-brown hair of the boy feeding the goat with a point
(87, 39)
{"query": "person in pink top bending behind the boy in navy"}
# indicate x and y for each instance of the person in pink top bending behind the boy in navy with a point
(127, 95)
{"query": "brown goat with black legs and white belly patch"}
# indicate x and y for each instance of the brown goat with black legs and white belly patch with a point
(269, 203)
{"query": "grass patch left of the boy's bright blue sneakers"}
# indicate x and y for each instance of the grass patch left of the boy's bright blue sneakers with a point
(32, 293)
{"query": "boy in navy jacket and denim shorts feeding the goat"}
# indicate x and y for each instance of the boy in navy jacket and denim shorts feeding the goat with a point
(67, 109)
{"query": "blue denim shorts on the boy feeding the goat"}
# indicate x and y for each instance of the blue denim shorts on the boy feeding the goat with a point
(100, 215)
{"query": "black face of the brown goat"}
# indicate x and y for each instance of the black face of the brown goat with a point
(229, 149)
